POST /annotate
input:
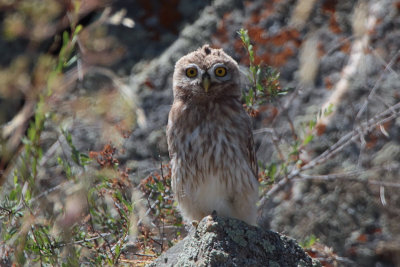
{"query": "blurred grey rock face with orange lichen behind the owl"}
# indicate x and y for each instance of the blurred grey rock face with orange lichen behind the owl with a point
(338, 52)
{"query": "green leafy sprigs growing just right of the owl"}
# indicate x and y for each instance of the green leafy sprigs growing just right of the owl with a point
(264, 86)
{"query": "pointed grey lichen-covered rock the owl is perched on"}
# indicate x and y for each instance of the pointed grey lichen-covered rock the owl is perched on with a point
(219, 241)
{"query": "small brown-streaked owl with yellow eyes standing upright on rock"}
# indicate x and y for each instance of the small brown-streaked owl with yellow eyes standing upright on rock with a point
(210, 142)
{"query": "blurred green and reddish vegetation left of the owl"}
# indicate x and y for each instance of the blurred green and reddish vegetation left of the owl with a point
(94, 215)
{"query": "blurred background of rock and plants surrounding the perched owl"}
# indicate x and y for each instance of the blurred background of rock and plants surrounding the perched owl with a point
(85, 91)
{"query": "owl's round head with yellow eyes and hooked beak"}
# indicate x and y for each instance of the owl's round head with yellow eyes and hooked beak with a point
(206, 74)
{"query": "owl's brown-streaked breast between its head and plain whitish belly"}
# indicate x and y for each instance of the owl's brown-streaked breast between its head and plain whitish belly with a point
(207, 145)
